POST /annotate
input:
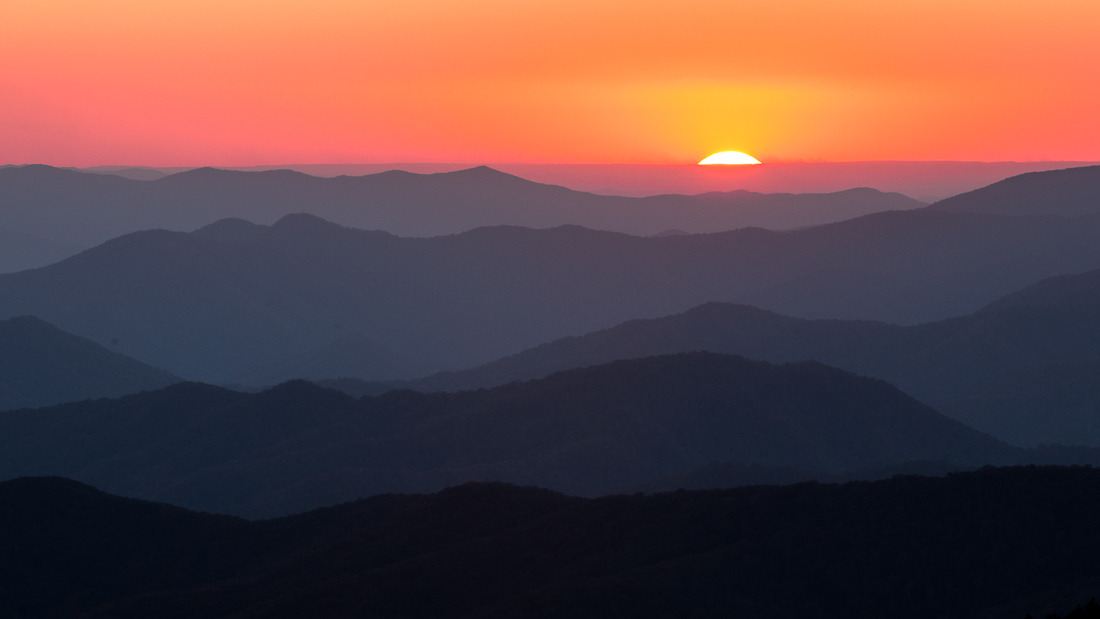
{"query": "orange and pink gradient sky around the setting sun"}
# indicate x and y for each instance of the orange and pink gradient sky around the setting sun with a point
(248, 82)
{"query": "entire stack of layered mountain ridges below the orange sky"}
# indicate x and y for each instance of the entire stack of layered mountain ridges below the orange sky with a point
(943, 341)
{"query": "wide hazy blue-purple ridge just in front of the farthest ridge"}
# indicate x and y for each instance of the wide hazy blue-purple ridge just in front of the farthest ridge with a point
(234, 299)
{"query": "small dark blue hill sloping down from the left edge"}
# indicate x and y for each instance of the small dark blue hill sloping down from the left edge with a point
(41, 366)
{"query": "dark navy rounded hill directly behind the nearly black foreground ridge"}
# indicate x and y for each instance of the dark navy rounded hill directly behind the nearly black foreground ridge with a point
(586, 432)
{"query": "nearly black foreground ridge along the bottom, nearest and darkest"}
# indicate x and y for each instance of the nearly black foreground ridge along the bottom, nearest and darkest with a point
(995, 544)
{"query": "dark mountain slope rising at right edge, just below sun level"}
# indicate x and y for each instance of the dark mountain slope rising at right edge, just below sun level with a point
(1069, 193)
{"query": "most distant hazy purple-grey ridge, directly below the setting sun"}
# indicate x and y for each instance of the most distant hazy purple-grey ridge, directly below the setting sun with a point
(78, 211)
